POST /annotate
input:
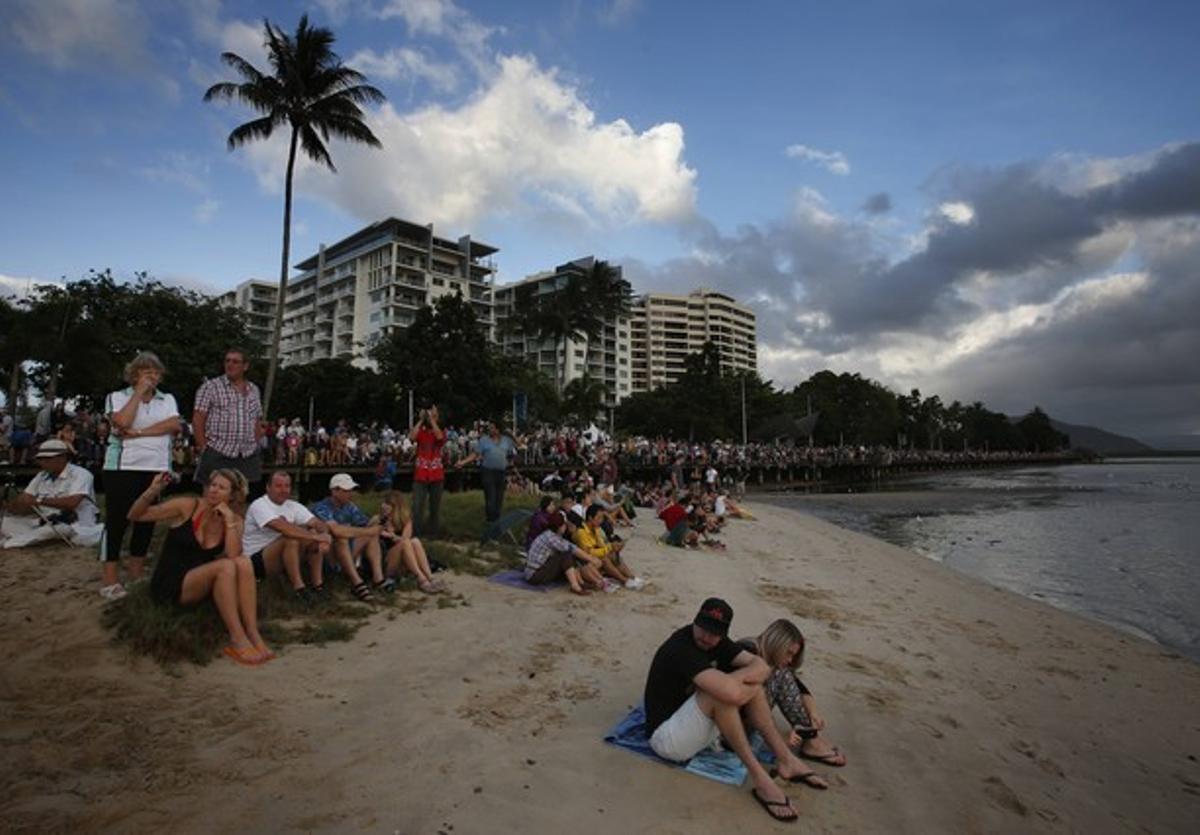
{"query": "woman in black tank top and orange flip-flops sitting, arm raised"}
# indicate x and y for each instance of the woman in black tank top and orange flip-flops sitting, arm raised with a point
(202, 558)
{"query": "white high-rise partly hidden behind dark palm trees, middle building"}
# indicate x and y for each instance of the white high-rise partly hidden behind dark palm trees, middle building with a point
(607, 359)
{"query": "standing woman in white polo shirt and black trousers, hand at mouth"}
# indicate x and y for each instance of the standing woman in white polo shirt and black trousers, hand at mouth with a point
(145, 420)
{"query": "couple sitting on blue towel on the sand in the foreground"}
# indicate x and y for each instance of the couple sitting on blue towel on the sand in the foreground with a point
(704, 688)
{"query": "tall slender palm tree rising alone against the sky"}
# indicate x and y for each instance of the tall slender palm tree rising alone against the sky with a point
(311, 92)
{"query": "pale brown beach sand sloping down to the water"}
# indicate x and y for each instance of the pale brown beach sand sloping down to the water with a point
(962, 708)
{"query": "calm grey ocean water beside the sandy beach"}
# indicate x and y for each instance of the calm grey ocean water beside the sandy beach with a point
(1118, 542)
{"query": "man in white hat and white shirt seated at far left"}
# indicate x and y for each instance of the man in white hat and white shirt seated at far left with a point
(58, 504)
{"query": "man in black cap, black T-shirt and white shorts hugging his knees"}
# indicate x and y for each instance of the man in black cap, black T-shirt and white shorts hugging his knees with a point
(703, 688)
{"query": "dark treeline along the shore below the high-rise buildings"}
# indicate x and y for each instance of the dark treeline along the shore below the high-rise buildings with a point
(73, 341)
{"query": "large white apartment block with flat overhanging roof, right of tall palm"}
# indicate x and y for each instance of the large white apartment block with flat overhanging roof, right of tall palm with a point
(367, 285)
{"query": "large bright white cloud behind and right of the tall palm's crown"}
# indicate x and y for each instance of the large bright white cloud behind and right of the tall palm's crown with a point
(524, 143)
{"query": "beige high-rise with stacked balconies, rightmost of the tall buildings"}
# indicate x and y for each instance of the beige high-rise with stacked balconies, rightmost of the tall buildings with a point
(665, 329)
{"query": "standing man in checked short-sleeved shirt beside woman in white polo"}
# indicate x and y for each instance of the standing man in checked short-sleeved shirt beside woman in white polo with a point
(227, 423)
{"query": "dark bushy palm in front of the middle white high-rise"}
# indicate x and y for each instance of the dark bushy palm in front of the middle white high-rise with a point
(595, 293)
